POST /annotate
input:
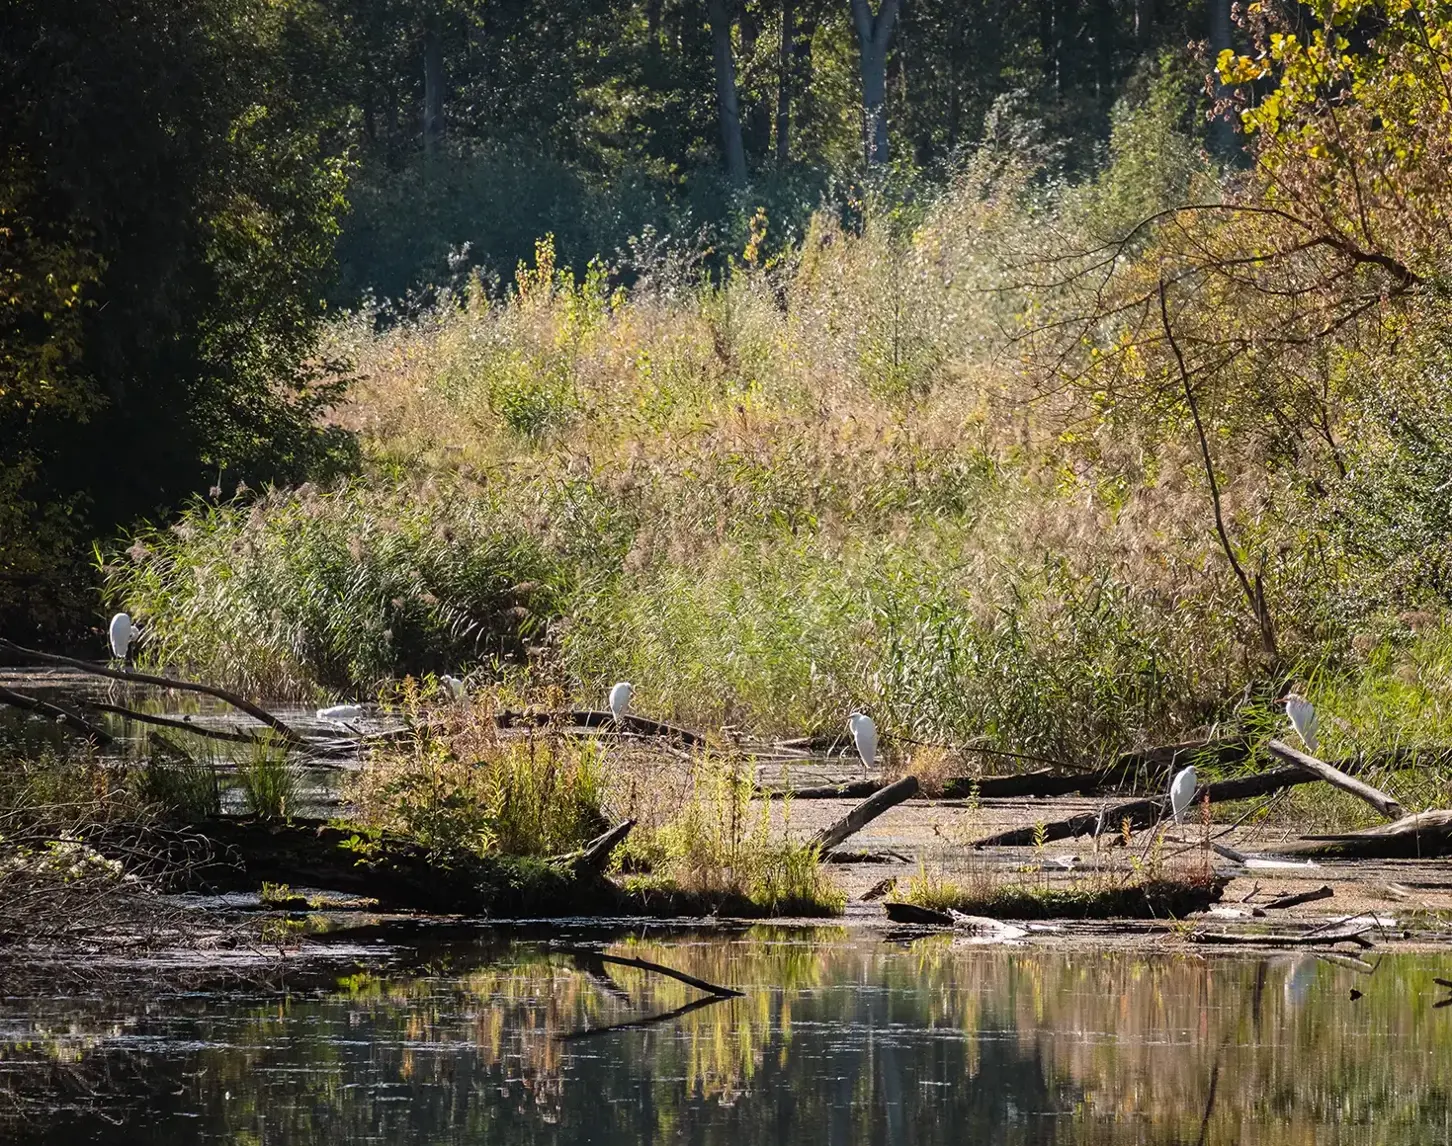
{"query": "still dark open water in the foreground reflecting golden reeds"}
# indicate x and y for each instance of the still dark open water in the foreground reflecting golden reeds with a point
(841, 1038)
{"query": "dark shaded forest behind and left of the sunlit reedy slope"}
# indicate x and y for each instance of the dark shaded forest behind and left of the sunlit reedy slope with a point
(192, 188)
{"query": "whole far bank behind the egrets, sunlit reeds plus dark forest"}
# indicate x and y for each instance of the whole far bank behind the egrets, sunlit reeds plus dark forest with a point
(1053, 377)
